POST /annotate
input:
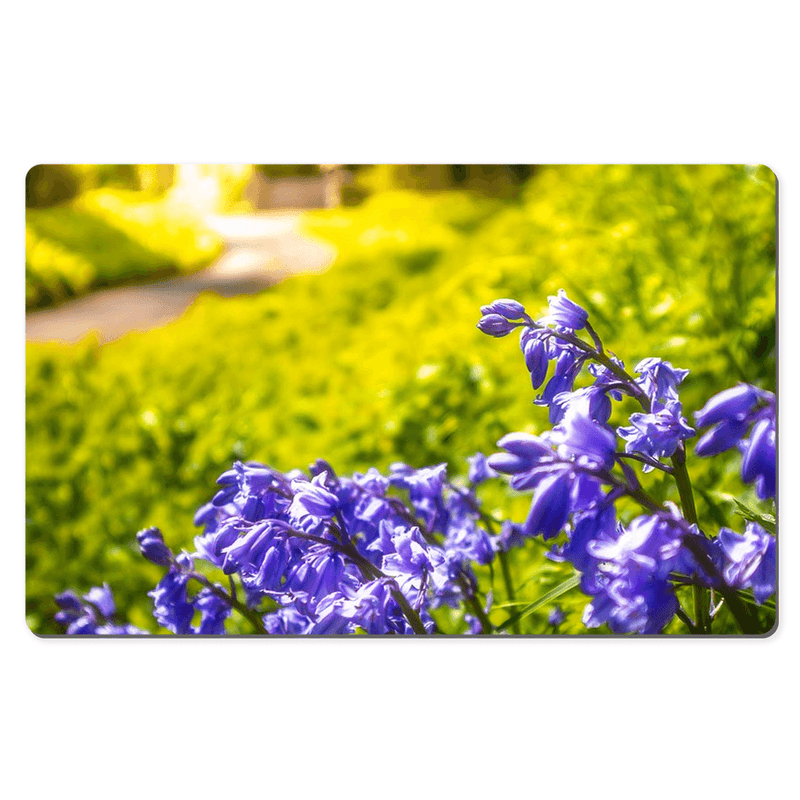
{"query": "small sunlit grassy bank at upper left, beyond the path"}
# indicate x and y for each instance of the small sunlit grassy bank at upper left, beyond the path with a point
(109, 236)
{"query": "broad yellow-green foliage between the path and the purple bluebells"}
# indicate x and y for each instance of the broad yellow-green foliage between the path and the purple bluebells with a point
(379, 360)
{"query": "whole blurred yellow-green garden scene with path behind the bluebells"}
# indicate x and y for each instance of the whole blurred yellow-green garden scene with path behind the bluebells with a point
(182, 317)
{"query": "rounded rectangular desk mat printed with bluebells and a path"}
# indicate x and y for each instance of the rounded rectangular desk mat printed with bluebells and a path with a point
(409, 400)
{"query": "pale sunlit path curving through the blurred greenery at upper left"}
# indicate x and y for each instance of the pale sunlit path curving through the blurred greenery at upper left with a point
(261, 249)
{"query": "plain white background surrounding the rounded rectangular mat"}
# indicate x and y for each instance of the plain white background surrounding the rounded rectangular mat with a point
(360, 82)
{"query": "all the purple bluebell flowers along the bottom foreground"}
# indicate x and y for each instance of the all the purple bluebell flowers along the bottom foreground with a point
(316, 553)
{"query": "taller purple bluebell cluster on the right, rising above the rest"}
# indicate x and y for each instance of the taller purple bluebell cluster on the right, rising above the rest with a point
(630, 572)
